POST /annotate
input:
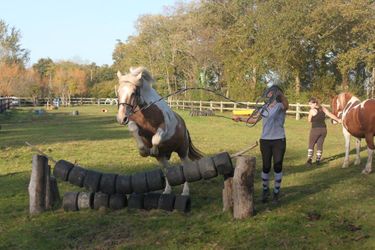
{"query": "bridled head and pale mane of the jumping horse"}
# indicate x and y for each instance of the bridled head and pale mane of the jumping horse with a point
(129, 92)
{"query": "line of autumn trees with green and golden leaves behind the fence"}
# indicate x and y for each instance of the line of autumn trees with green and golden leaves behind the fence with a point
(309, 47)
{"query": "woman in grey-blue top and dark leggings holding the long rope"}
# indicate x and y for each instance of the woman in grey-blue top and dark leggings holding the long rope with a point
(272, 141)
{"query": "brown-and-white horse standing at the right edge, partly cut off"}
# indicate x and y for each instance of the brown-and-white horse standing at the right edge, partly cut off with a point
(358, 120)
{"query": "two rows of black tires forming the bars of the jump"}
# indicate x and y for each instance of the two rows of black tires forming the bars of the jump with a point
(109, 190)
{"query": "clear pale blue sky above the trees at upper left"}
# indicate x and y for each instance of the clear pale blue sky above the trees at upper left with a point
(83, 31)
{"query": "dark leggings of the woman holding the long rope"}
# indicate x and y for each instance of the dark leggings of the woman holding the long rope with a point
(272, 149)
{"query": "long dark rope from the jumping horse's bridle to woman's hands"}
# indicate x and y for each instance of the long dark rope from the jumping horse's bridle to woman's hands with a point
(259, 112)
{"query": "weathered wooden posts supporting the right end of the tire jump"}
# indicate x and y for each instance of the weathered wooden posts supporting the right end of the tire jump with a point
(238, 191)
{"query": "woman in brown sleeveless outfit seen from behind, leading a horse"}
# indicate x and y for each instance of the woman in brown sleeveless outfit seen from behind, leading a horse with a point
(318, 132)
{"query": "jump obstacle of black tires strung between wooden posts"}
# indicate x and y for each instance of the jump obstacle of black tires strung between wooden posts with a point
(109, 190)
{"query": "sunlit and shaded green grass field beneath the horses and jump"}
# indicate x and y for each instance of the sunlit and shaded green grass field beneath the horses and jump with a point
(344, 198)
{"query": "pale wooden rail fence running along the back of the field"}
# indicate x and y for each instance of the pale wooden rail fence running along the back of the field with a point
(296, 110)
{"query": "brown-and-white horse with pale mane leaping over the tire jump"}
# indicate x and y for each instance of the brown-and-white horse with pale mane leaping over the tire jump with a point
(157, 130)
